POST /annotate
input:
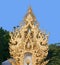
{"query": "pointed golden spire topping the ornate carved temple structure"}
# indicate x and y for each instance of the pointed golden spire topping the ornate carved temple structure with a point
(29, 18)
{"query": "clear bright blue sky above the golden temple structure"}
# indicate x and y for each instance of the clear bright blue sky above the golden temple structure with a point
(47, 13)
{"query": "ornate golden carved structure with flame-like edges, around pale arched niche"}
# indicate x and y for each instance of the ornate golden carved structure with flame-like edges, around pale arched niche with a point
(29, 39)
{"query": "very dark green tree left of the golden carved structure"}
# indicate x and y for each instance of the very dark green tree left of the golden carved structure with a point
(4, 39)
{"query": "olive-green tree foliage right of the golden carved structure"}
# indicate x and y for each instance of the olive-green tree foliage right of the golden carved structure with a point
(54, 54)
